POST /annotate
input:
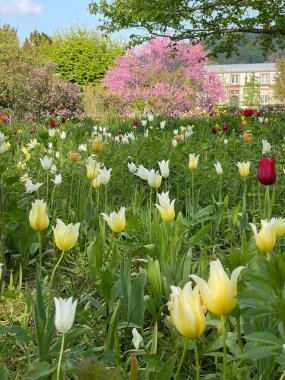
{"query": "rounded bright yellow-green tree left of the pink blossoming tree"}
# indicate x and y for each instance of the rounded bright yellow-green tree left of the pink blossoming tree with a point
(82, 56)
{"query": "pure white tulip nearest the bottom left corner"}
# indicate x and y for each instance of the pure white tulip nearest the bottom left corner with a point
(64, 314)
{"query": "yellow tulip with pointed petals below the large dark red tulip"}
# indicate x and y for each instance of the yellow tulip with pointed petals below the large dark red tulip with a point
(265, 239)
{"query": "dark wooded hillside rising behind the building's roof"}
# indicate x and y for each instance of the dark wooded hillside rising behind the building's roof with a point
(249, 54)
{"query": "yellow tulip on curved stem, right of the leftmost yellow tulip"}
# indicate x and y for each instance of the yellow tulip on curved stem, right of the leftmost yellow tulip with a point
(65, 236)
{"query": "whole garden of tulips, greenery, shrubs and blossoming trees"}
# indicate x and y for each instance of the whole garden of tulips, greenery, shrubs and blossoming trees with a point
(142, 220)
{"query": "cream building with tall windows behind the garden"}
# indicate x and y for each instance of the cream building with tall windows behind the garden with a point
(248, 83)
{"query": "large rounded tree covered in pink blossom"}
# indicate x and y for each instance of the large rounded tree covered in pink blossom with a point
(168, 80)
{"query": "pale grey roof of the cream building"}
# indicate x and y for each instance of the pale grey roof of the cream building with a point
(245, 68)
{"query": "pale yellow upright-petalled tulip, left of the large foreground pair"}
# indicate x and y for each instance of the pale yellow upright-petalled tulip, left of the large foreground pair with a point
(186, 311)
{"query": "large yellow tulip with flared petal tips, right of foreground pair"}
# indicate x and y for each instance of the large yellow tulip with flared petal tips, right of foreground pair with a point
(220, 291)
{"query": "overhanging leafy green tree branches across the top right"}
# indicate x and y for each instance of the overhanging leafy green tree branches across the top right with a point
(218, 23)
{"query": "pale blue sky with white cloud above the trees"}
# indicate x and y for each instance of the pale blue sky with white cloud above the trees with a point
(47, 16)
